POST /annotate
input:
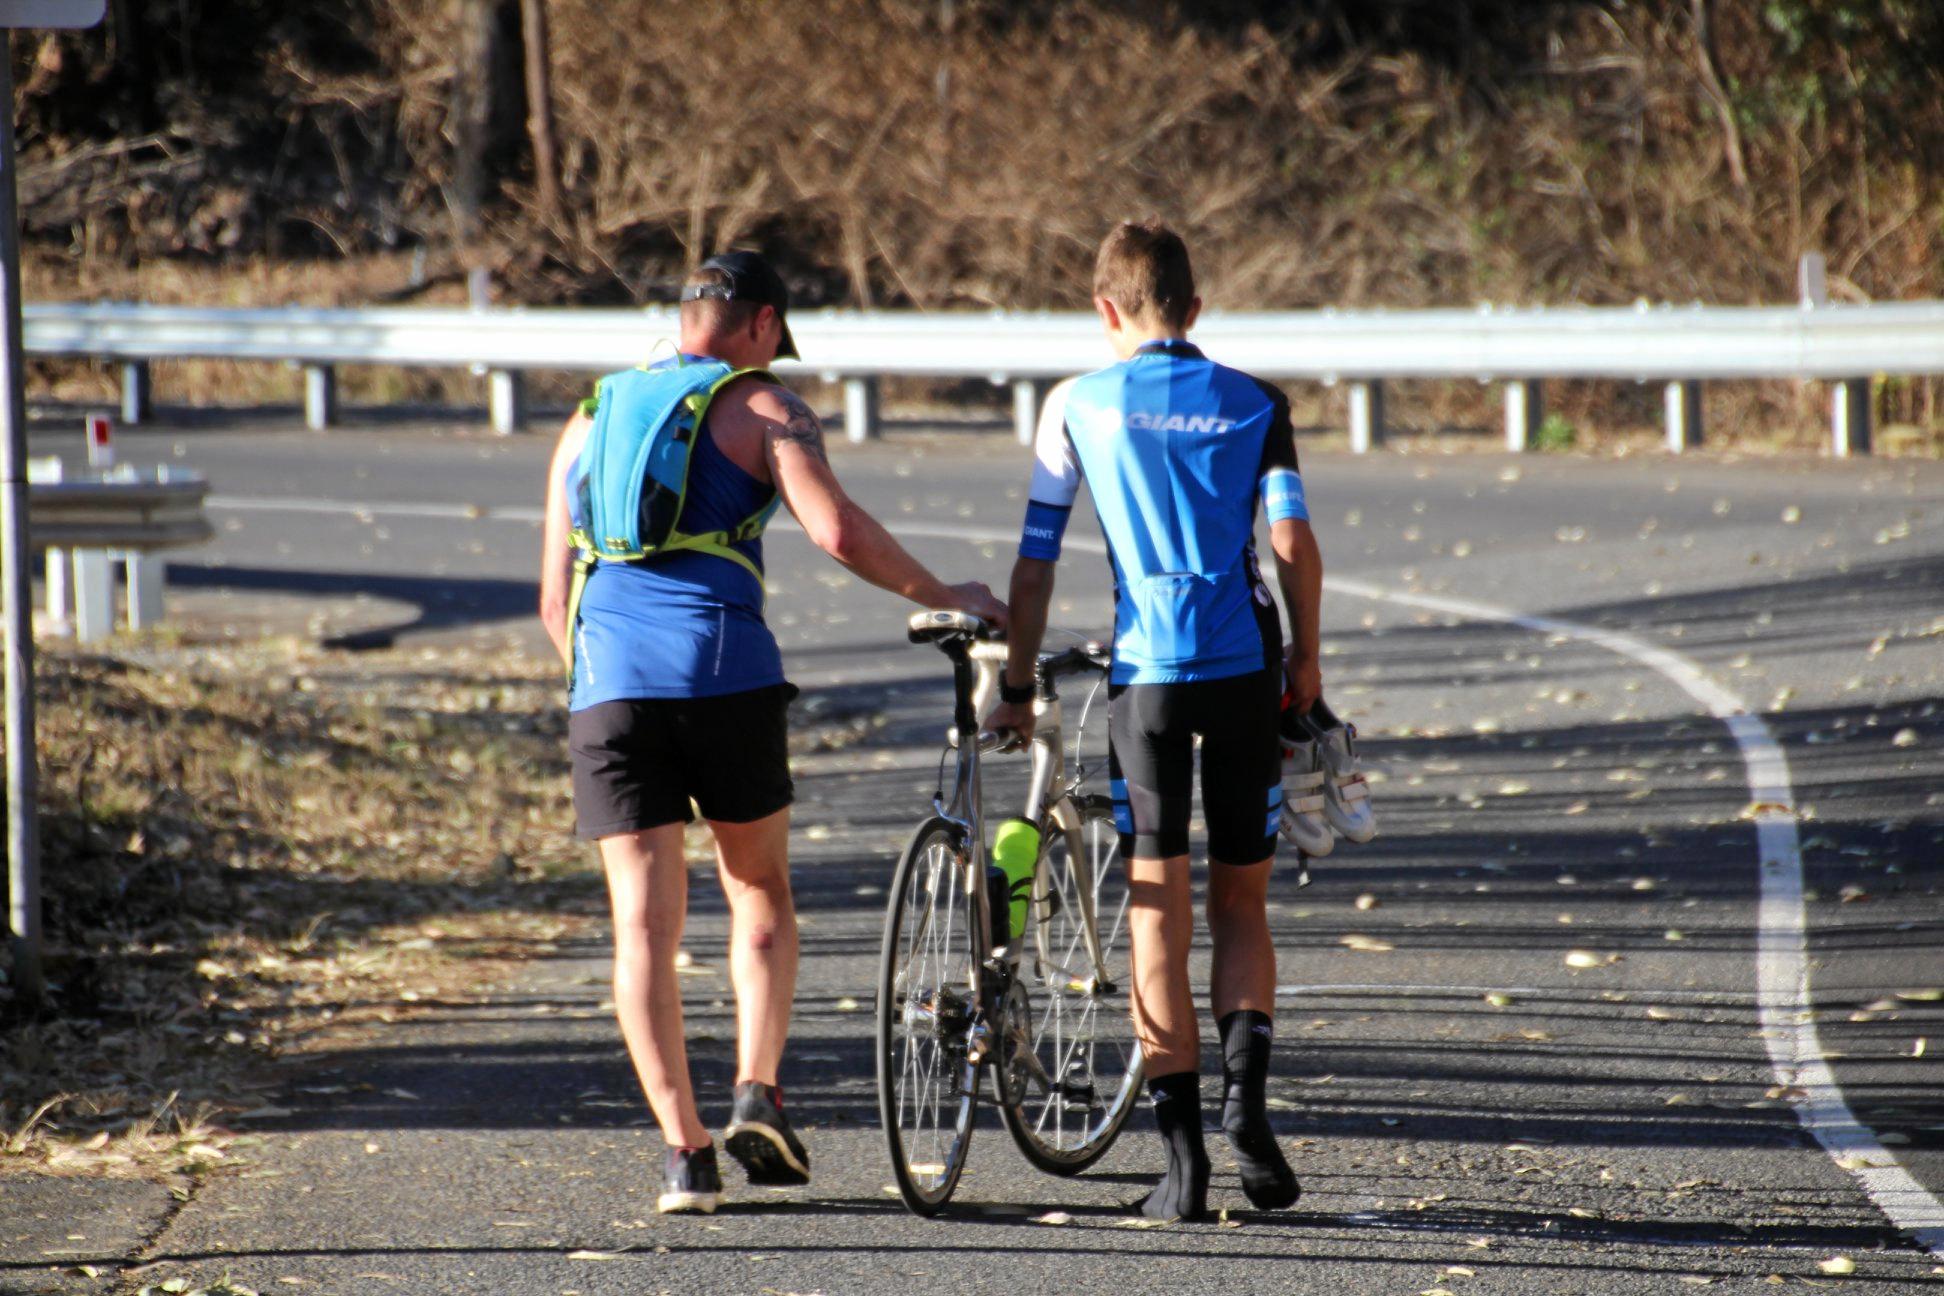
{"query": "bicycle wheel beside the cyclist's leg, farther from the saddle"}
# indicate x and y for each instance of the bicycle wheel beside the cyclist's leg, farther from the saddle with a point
(1070, 1062)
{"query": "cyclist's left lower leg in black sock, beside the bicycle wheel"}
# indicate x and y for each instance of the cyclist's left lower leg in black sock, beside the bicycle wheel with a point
(1160, 928)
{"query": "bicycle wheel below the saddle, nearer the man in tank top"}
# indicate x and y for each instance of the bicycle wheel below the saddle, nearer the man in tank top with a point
(926, 1009)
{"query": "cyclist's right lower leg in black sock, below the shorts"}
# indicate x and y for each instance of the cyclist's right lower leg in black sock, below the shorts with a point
(1245, 1009)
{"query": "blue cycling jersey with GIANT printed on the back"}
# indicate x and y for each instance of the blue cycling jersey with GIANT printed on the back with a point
(1177, 452)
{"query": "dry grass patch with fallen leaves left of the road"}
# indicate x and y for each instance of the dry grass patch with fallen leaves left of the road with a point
(252, 850)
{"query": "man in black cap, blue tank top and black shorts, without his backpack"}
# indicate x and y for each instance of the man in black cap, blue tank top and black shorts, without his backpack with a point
(679, 697)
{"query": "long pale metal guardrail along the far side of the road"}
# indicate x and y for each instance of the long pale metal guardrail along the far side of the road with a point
(1681, 347)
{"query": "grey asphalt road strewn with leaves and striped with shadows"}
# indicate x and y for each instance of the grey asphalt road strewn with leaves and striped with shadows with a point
(1716, 763)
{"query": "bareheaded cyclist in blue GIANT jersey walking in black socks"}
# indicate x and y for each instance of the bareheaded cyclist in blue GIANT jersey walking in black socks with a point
(1177, 452)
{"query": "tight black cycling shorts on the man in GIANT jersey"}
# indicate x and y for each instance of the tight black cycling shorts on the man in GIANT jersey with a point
(1152, 751)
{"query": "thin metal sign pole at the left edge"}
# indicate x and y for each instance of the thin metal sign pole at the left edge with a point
(22, 765)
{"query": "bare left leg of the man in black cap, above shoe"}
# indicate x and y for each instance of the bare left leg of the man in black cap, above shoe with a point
(648, 889)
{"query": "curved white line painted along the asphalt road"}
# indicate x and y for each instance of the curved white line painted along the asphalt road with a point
(1782, 928)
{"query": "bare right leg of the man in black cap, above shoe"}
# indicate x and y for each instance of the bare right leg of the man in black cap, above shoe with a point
(753, 862)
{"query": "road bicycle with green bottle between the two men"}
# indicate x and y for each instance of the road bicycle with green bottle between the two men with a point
(1045, 1011)
